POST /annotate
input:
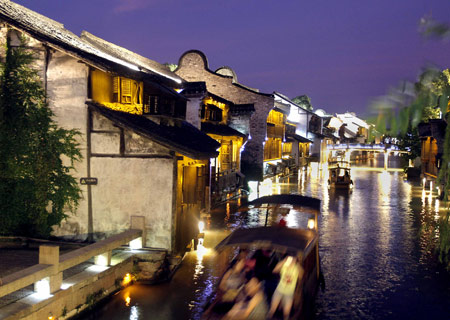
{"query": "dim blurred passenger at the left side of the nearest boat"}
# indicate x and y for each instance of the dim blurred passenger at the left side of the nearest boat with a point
(232, 282)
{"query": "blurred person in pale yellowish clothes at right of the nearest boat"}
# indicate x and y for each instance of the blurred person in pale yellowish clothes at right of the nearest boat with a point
(291, 273)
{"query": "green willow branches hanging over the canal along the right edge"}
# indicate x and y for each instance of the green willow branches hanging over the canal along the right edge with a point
(399, 113)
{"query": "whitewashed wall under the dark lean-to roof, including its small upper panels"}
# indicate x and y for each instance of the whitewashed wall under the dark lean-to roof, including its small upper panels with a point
(139, 182)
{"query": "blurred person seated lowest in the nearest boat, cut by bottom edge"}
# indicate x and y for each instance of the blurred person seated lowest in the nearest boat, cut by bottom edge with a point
(252, 306)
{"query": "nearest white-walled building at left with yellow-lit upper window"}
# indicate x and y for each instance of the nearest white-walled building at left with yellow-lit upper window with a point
(147, 160)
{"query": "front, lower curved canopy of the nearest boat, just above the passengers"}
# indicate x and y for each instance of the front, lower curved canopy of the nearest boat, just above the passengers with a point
(274, 238)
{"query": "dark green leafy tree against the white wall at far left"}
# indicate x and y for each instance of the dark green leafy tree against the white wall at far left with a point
(36, 156)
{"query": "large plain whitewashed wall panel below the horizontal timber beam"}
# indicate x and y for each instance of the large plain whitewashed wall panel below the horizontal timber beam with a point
(133, 186)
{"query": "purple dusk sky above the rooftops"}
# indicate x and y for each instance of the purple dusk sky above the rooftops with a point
(341, 53)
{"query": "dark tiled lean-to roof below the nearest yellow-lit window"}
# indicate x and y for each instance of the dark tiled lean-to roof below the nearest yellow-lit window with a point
(182, 137)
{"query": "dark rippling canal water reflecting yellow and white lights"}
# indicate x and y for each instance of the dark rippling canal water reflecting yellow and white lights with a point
(375, 247)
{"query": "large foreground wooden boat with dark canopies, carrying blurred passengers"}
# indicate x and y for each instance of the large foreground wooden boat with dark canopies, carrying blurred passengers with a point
(279, 241)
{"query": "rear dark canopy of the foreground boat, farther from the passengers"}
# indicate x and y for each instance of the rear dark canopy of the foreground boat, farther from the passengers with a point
(295, 200)
